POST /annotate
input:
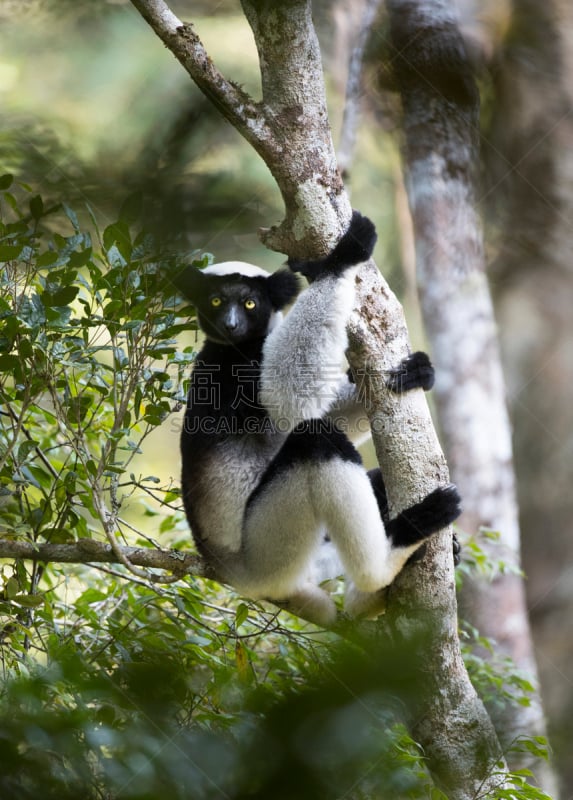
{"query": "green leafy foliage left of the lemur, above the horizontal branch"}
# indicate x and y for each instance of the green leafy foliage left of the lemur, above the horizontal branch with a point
(89, 366)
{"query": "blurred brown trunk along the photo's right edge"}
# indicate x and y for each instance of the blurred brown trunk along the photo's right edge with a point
(529, 163)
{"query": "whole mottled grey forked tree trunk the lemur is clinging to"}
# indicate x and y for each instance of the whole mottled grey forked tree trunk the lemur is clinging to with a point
(291, 132)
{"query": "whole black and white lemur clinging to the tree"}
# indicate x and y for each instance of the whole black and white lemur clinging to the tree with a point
(271, 482)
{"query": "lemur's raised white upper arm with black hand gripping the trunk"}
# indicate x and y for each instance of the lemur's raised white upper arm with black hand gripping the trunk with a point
(303, 358)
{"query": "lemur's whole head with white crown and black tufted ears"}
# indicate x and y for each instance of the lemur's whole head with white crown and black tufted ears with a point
(237, 302)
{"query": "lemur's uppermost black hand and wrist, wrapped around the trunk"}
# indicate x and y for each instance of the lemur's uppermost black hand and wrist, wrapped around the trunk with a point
(355, 246)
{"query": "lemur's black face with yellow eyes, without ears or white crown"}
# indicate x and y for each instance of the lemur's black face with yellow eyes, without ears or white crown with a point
(234, 309)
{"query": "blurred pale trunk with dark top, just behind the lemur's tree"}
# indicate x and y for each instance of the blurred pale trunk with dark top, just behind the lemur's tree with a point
(440, 108)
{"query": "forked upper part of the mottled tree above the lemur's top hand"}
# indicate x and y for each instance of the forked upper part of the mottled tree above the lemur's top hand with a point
(289, 129)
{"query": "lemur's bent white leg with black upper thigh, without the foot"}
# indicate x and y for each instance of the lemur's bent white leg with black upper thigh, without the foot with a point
(316, 481)
